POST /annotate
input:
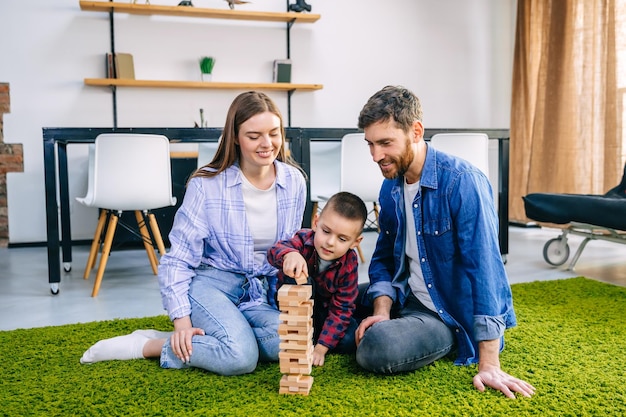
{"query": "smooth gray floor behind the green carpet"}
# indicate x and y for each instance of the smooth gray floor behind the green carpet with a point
(130, 290)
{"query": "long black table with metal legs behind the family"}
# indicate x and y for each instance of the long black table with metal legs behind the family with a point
(56, 140)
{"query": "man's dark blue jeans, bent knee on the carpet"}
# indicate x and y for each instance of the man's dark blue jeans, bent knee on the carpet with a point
(416, 338)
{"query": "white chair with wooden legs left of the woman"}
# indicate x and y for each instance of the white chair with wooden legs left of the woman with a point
(127, 172)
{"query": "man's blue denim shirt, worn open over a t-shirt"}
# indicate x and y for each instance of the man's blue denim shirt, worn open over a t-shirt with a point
(457, 237)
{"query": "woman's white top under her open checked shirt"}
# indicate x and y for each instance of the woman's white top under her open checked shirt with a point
(261, 212)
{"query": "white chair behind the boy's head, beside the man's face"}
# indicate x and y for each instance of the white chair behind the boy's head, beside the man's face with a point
(359, 175)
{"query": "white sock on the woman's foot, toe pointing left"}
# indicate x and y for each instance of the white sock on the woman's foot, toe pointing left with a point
(125, 347)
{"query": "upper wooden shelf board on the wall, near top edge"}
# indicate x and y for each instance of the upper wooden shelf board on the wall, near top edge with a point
(147, 9)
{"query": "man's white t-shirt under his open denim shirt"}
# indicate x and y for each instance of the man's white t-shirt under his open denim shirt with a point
(416, 278)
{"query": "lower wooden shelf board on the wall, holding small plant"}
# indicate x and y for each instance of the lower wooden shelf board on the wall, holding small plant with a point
(124, 82)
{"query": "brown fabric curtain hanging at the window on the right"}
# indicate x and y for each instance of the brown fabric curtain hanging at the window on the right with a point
(566, 133)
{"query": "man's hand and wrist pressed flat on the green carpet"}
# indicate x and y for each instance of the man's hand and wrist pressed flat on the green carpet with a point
(490, 374)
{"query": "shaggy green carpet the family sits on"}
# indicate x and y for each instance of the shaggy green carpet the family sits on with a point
(570, 344)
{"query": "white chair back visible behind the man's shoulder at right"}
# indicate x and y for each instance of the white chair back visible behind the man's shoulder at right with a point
(473, 147)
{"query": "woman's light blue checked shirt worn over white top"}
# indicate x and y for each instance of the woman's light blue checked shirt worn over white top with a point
(211, 228)
